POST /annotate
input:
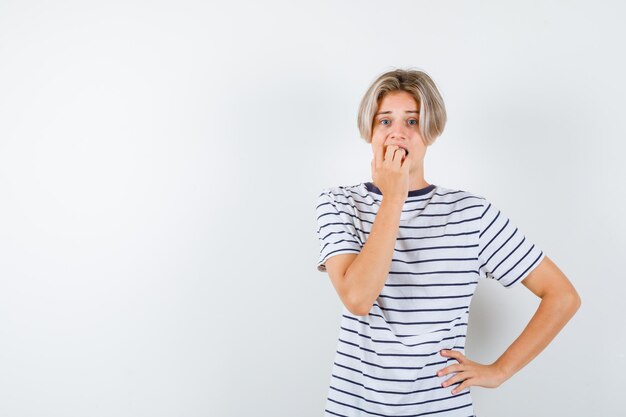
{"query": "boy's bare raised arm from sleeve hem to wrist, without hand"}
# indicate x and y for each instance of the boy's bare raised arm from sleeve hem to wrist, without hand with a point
(360, 284)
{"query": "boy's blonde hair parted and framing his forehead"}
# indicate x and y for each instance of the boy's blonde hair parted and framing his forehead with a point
(432, 119)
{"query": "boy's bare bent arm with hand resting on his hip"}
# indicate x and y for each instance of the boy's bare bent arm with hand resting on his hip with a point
(559, 302)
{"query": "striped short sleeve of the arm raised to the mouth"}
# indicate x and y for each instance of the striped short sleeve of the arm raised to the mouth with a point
(336, 230)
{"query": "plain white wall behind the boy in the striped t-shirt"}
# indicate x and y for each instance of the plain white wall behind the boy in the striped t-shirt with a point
(160, 162)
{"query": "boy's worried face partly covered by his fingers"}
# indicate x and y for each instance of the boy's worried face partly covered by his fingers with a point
(399, 125)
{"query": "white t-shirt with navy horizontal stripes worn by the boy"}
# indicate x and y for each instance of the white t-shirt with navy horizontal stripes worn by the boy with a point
(386, 361)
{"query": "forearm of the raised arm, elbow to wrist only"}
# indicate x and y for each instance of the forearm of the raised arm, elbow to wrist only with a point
(368, 273)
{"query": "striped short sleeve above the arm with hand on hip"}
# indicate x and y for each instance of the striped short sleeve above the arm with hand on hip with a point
(504, 252)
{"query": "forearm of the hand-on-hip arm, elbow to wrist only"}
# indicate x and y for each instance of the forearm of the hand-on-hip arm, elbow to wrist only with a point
(553, 313)
